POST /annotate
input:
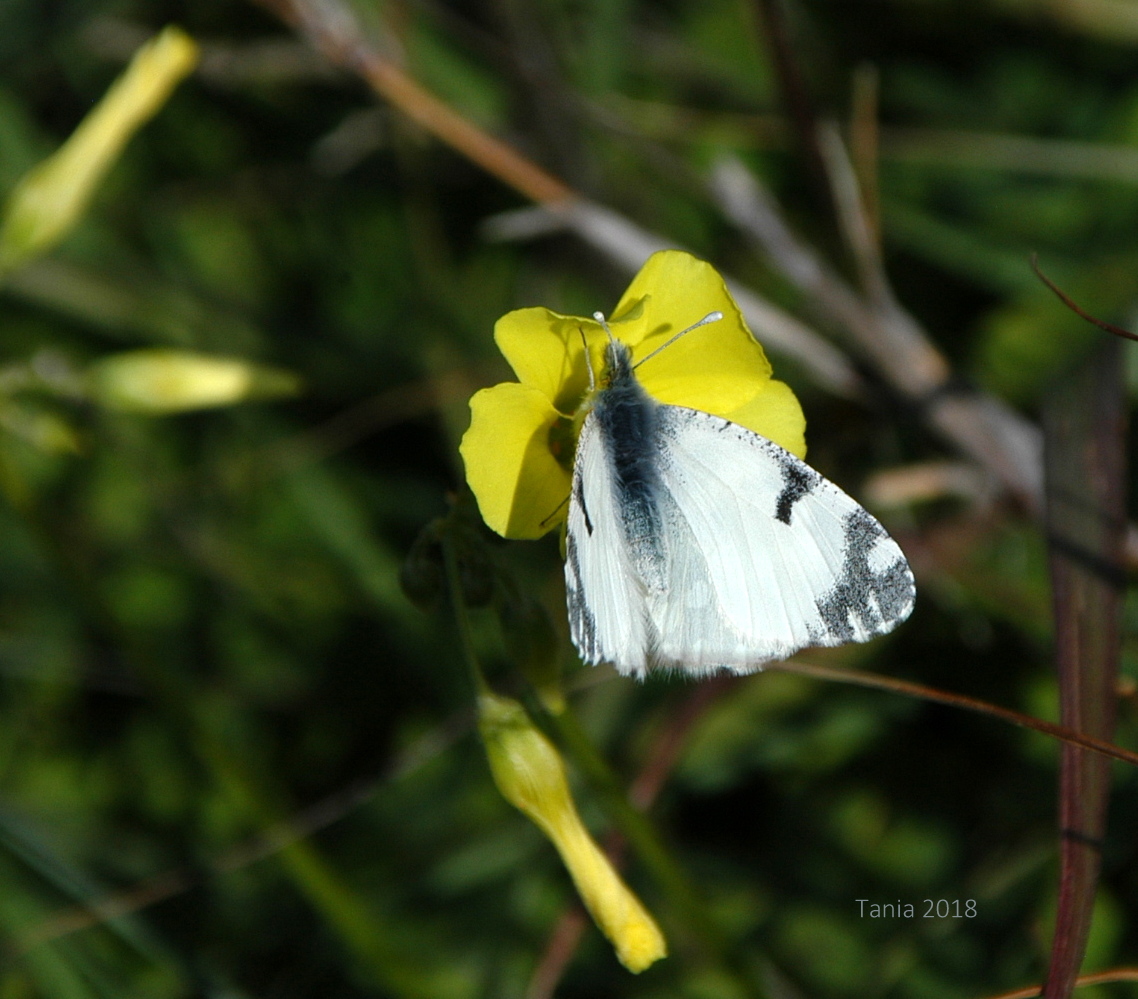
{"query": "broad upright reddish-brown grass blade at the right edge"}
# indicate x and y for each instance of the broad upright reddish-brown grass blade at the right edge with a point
(1085, 463)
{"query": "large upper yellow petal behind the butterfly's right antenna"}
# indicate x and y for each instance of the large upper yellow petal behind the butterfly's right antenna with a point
(716, 369)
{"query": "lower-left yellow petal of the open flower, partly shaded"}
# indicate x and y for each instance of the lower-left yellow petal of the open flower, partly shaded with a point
(510, 466)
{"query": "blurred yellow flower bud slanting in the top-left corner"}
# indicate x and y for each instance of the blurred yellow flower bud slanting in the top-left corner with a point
(52, 197)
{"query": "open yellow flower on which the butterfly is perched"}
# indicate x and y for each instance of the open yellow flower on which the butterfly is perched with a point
(519, 449)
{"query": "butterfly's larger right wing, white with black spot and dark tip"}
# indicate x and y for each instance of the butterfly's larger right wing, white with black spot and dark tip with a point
(765, 556)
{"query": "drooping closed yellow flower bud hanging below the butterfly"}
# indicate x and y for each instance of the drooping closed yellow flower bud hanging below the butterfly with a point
(532, 778)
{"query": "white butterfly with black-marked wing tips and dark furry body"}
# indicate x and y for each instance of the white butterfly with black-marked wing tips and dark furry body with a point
(696, 544)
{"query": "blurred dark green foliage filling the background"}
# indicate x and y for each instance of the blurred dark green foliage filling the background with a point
(237, 761)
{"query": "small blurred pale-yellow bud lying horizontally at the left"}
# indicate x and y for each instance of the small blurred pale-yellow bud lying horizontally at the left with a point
(170, 382)
